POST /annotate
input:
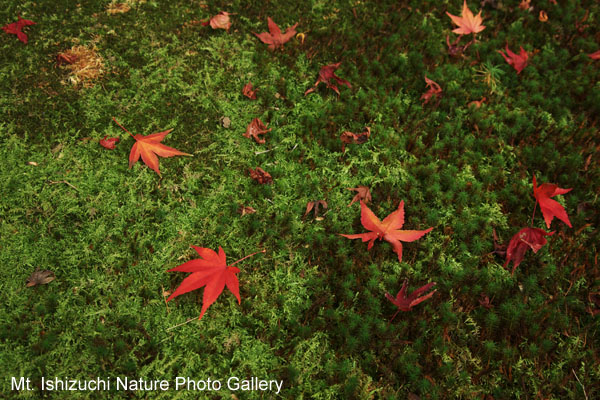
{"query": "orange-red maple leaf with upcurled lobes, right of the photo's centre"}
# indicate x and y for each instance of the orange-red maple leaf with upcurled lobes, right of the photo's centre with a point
(388, 229)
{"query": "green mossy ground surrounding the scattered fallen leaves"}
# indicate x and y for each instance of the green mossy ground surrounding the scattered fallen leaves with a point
(313, 311)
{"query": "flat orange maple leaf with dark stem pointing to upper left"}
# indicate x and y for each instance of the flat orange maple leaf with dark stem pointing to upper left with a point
(149, 147)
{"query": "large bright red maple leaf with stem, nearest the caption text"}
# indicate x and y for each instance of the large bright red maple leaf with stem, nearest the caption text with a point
(210, 270)
